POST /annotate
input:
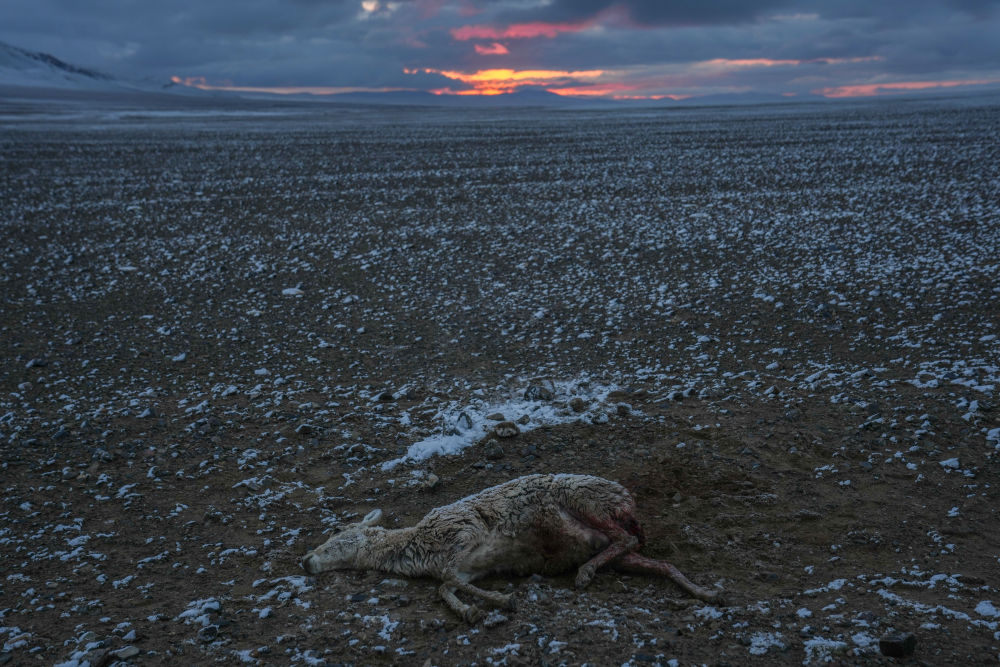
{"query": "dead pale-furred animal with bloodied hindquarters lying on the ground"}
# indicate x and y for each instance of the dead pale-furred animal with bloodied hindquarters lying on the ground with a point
(543, 524)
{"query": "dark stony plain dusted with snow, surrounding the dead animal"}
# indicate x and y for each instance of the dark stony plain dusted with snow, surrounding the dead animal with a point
(223, 335)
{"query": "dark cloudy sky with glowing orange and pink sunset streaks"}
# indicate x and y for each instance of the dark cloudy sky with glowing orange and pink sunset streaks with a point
(632, 48)
